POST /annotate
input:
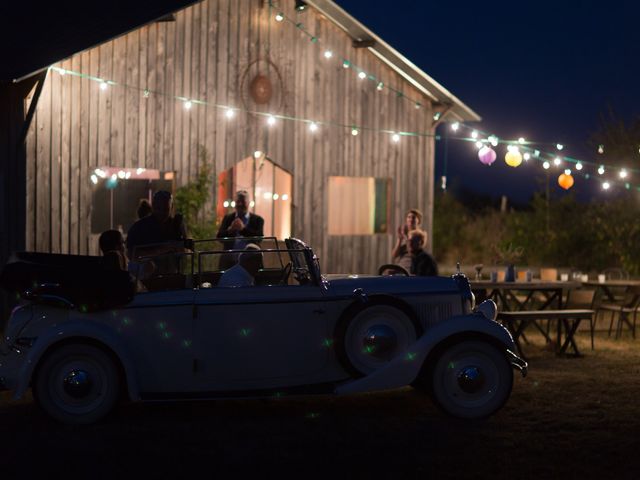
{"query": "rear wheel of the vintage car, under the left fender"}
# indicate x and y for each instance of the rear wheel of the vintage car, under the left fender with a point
(77, 384)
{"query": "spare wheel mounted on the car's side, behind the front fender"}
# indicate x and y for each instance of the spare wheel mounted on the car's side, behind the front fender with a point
(373, 337)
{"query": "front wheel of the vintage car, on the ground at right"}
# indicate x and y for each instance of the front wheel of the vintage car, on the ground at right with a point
(471, 379)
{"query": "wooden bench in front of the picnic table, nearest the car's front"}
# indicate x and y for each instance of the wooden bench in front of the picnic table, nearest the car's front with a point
(567, 324)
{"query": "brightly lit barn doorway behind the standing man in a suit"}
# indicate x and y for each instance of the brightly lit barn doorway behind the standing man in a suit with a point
(270, 191)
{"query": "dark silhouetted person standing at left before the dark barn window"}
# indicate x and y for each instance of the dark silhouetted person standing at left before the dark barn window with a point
(159, 227)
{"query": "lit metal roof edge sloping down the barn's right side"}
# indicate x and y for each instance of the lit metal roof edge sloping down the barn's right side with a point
(395, 60)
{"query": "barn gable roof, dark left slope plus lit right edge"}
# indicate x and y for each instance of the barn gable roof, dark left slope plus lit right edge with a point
(57, 30)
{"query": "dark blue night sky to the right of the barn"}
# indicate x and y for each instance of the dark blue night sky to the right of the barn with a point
(543, 70)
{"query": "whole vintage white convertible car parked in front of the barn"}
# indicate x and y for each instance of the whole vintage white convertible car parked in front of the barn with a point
(84, 337)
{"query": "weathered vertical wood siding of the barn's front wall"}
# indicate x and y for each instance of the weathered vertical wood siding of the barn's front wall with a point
(204, 55)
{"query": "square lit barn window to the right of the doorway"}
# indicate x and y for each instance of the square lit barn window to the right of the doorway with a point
(358, 205)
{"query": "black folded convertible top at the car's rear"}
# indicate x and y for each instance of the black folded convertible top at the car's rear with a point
(79, 279)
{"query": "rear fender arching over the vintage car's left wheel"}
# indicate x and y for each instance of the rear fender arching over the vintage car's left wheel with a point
(81, 329)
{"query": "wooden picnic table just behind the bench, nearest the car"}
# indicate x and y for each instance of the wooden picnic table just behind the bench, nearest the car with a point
(506, 293)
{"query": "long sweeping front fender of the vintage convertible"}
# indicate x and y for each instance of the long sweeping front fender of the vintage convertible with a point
(404, 369)
